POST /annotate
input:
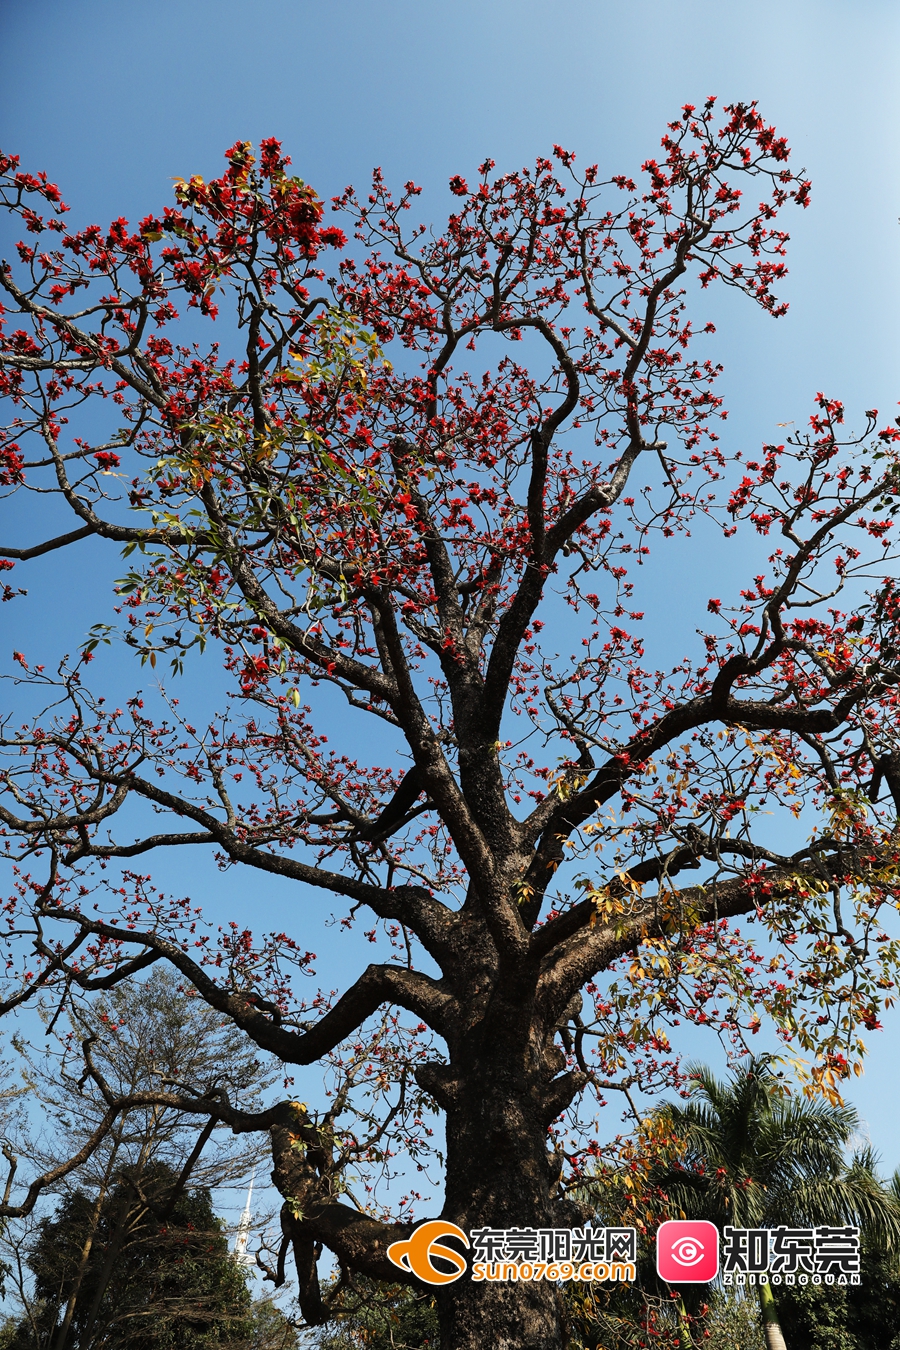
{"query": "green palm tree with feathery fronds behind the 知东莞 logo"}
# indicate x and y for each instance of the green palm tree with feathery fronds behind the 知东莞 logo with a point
(754, 1158)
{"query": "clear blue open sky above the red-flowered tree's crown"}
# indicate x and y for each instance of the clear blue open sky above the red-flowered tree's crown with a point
(117, 99)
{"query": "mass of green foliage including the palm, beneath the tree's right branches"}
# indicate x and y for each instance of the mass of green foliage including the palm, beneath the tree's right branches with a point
(747, 1154)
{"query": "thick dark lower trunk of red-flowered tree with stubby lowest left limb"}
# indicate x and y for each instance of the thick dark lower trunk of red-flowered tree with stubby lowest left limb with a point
(504, 1087)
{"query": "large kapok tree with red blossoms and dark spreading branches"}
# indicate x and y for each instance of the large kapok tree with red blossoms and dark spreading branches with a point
(414, 491)
